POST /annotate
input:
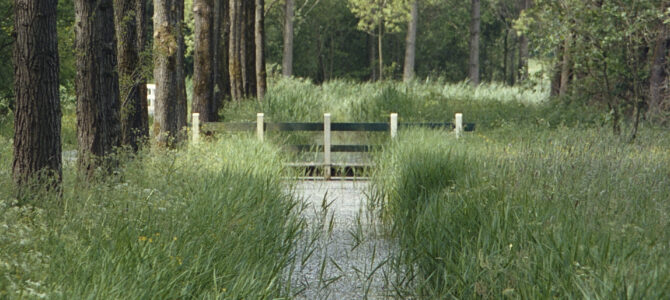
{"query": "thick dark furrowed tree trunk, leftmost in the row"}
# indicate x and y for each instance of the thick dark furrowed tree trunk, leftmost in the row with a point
(37, 113)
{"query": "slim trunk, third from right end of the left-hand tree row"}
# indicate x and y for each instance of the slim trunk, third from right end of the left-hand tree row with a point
(235, 47)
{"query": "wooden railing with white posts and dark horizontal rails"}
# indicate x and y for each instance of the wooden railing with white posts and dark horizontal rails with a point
(327, 127)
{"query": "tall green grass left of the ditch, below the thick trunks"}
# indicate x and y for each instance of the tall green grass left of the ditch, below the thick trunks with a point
(212, 221)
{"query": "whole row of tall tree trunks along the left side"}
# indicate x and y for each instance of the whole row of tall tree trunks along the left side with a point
(111, 41)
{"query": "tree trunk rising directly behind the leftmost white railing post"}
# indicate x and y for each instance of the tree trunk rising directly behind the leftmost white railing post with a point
(203, 56)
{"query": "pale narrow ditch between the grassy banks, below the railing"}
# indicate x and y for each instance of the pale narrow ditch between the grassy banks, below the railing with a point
(343, 258)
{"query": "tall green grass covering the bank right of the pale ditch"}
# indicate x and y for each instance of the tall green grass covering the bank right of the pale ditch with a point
(529, 213)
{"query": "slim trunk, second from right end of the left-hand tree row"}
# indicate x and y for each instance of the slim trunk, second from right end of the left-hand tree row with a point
(249, 54)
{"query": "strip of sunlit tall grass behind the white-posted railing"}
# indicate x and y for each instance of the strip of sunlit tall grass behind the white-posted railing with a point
(490, 106)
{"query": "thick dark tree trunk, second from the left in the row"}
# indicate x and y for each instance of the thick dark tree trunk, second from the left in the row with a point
(97, 85)
